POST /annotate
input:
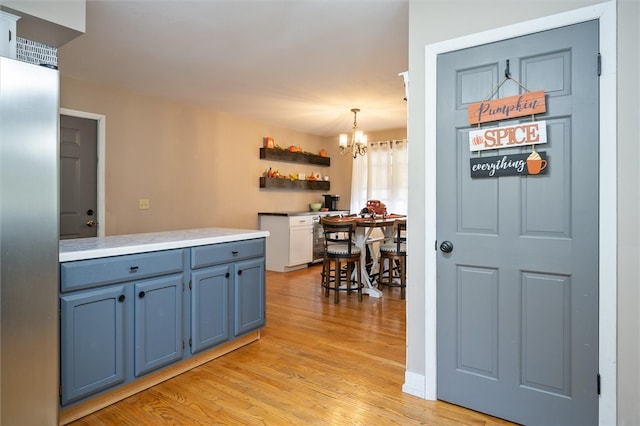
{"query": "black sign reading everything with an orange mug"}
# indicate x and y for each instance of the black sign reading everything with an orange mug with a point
(534, 163)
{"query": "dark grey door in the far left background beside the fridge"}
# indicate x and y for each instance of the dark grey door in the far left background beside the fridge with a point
(78, 177)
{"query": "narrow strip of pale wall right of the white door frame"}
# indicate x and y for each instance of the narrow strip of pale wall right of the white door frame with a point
(628, 213)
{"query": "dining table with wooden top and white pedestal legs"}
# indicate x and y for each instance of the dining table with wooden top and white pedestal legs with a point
(365, 225)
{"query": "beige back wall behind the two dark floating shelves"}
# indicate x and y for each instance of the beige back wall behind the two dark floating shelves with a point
(198, 168)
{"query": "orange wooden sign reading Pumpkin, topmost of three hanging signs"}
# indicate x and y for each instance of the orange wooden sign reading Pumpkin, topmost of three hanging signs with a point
(506, 108)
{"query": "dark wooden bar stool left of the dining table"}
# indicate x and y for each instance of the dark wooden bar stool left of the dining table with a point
(339, 249)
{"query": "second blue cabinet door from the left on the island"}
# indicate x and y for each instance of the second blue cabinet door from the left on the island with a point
(158, 323)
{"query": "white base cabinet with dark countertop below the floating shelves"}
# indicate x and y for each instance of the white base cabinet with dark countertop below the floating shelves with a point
(290, 241)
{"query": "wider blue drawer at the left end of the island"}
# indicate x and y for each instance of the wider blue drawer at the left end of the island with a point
(98, 272)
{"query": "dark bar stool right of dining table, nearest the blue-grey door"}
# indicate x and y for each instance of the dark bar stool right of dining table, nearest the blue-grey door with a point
(395, 253)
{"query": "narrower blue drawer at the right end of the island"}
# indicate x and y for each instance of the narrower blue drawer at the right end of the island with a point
(226, 252)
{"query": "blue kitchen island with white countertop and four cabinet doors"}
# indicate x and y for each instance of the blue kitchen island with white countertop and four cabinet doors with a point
(138, 309)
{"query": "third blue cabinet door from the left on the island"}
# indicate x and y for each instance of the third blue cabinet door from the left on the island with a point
(209, 307)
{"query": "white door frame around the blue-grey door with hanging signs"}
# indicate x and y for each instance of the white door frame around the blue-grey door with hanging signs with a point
(605, 13)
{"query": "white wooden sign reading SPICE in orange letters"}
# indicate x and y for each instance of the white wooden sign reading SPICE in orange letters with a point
(508, 136)
